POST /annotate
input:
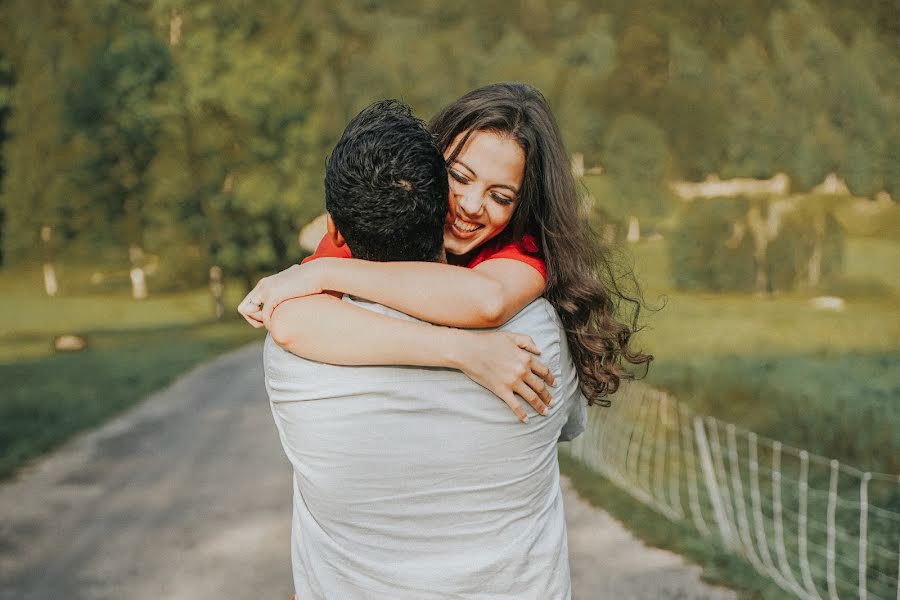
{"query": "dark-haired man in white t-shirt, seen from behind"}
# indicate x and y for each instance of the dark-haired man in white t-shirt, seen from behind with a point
(416, 482)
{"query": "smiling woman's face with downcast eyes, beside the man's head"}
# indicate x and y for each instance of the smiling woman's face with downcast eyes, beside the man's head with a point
(485, 180)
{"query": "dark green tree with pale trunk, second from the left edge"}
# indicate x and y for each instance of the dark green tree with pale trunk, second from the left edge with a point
(110, 105)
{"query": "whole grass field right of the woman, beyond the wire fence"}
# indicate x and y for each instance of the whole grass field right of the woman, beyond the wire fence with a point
(826, 381)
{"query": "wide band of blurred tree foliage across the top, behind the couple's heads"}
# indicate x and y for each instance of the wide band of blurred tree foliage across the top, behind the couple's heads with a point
(160, 122)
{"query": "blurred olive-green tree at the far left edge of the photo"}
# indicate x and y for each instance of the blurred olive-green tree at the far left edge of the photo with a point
(42, 42)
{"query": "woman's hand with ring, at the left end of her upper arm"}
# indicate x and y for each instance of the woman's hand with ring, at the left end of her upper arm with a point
(294, 282)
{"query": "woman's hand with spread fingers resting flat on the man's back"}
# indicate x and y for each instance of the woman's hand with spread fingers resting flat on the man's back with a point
(507, 365)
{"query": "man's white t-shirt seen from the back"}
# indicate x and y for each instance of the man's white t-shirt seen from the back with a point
(417, 483)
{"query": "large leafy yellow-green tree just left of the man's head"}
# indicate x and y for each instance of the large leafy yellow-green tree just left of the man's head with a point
(252, 120)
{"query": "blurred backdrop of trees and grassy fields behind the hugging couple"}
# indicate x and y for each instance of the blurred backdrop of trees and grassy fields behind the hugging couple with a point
(158, 156)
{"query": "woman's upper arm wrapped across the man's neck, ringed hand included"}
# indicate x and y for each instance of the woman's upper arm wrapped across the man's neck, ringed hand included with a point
(486, 296)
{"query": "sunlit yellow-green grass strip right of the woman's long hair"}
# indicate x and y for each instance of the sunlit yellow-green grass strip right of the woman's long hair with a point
(709, 325)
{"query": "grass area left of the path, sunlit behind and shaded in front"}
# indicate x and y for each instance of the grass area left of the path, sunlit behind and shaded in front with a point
(134, 348)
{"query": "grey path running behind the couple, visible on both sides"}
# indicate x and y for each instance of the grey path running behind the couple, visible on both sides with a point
(187, 496)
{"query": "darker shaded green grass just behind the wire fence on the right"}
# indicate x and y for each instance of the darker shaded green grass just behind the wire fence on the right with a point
(841, 406)
